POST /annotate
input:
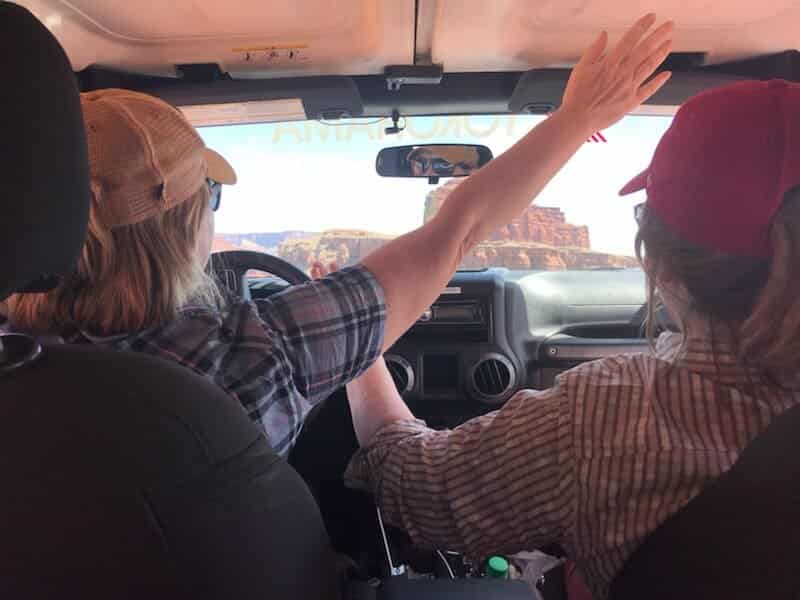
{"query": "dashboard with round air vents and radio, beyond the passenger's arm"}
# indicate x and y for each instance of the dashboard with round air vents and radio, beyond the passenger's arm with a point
(494, 332)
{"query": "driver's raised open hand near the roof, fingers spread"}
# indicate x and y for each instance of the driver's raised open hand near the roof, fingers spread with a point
(606, 85)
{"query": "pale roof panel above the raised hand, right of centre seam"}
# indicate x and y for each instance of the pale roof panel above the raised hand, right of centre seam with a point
(517, 35)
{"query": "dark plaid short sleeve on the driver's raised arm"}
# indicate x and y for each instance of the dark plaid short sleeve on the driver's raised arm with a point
(332, 328)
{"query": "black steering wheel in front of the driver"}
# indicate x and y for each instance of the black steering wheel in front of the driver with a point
(231, 267)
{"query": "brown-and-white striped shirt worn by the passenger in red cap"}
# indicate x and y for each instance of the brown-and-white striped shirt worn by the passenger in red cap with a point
(593, 464)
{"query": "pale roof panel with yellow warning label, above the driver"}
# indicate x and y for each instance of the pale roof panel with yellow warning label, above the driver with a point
(246, 38)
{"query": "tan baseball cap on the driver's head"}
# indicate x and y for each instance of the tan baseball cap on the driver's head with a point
(144, 156)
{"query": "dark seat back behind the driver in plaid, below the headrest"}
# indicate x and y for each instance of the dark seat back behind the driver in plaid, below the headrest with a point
(125, 476)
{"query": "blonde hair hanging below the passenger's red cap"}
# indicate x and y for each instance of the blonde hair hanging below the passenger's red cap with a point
(756, 300)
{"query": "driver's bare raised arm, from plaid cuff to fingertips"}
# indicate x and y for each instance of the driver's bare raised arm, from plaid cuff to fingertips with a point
(603, 87)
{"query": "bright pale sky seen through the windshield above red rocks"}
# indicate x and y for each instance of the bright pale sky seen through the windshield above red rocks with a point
(313, 176)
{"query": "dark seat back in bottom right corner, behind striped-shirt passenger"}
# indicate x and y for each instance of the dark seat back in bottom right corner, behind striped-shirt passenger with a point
(739, 538)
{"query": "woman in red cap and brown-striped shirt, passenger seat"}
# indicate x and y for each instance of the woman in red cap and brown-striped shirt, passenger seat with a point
(598, 461)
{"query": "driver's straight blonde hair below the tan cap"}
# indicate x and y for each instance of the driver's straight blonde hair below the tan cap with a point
(128, 278)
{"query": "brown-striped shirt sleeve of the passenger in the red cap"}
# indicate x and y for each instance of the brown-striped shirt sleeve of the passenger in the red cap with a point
(503, 482)
